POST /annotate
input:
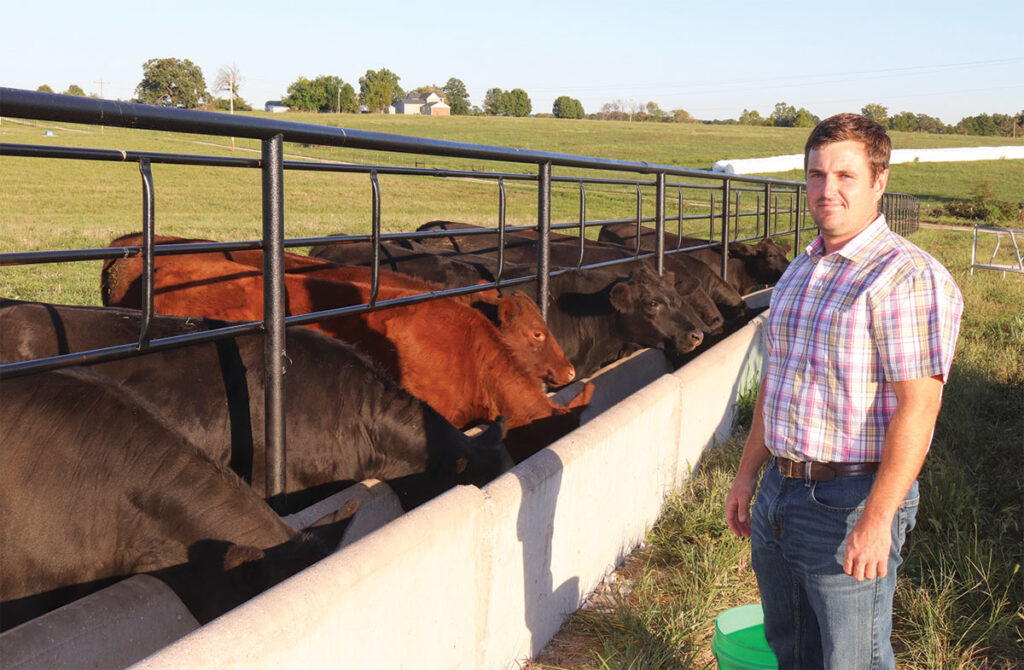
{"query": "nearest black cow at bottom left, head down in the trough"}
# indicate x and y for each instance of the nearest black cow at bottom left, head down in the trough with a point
(97, 486)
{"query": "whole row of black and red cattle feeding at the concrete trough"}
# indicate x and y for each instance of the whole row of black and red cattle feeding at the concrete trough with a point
(156, 464)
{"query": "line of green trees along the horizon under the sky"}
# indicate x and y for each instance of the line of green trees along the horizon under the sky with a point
(176, 82)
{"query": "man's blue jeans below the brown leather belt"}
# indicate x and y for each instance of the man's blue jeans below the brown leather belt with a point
(817, 616)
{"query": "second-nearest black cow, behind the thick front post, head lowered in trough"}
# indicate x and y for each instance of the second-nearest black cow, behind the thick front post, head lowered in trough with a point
(347, 422)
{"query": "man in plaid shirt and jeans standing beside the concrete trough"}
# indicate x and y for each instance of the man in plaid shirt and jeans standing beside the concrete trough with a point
(861, 340)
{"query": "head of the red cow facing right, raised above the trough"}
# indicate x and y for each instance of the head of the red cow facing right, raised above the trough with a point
(535, 348)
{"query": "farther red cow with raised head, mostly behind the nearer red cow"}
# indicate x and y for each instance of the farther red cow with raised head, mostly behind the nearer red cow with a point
(519, 319)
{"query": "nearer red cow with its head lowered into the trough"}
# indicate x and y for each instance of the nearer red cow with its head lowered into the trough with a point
(444, 352)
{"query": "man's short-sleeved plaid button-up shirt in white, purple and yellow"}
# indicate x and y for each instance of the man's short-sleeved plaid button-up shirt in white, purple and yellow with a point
(840, 329)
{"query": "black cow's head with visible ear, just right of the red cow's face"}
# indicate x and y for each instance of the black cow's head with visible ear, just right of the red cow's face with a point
(651, 312)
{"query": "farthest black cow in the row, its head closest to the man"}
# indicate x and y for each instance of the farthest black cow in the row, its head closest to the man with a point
(749, 266)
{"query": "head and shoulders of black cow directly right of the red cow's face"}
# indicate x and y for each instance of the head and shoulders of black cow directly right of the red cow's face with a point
(601, 315)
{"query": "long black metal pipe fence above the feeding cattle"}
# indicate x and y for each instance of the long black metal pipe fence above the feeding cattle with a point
(723, 201)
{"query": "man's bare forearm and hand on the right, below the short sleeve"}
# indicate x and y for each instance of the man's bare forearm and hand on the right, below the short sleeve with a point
(908, 438)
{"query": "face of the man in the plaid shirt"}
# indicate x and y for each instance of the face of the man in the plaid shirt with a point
(842, 196)
